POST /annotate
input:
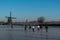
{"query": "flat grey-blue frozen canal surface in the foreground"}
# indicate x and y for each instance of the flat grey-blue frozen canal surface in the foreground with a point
(18, 33)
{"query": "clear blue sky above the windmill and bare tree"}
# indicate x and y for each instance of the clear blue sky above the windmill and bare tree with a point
(30, 9)
